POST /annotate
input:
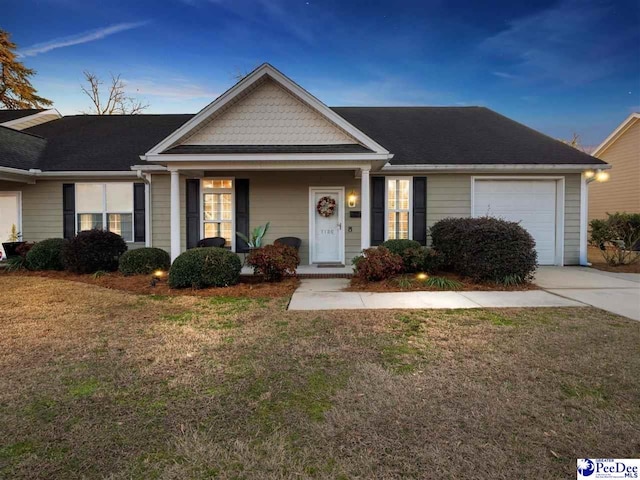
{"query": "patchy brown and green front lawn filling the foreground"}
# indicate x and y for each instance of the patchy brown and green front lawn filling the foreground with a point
(98, 383)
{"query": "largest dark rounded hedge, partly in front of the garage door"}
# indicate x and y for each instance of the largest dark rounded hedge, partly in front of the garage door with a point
(486, 249)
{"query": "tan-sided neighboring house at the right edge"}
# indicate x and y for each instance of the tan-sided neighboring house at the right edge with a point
(621, 150)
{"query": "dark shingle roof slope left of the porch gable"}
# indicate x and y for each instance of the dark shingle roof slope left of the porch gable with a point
(102, 142)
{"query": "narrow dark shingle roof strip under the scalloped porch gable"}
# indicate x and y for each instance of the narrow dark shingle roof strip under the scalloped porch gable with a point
(335, 148)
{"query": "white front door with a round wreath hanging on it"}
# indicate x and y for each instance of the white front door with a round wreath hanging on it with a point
(326, 225)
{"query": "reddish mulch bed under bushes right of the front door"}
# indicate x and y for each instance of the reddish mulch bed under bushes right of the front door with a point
(397, 284)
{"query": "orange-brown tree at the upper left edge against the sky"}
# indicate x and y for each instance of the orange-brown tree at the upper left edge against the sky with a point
(16, 91)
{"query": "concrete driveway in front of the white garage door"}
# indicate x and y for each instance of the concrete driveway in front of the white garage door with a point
(615, 292)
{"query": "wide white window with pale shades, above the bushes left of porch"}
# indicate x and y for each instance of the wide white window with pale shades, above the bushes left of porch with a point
(105, 205)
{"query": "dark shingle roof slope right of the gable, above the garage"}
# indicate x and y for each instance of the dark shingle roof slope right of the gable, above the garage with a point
(458, 135)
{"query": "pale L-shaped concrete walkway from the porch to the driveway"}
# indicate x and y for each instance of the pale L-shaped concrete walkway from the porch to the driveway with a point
(328, 294)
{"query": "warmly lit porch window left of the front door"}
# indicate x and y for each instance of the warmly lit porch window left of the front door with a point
(217, 209)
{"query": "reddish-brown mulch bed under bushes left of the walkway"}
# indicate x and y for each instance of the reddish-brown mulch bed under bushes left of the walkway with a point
(141, 284)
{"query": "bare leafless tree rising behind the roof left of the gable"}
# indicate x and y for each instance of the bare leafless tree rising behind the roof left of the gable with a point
(116, 102)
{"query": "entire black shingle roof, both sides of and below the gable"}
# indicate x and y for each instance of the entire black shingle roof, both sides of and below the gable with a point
(415, 135)
